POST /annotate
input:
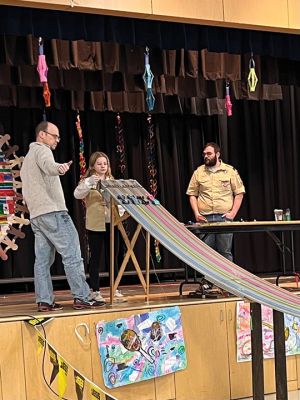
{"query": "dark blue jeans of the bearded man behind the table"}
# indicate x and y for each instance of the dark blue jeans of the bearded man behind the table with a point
(221, 242)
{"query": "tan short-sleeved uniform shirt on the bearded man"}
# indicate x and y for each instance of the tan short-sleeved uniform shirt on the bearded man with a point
(215, 190)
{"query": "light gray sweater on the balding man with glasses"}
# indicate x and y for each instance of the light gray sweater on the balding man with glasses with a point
(41, 186)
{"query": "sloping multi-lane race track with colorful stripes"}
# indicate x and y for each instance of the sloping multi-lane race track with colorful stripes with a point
(186, 246)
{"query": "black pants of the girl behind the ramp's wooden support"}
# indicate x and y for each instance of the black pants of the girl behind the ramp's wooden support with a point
(100, 254)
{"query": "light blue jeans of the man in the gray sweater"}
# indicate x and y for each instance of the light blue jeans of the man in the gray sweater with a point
(56, 232)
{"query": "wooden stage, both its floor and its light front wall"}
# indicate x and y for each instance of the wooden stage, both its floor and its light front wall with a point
(209, 328)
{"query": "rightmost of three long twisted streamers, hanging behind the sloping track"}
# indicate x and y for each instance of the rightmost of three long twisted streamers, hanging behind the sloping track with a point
(152, 171)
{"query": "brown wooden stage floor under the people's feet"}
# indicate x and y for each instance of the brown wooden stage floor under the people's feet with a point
(18, 306)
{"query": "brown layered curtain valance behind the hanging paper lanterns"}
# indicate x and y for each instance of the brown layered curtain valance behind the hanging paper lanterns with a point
(108, 76)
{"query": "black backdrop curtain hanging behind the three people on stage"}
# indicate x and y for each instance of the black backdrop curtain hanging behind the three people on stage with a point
(261, 140)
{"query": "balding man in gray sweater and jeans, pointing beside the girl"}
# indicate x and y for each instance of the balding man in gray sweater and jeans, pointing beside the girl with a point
(52, 226)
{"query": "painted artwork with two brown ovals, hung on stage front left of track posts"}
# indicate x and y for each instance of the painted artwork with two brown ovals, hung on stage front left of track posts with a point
(142, 346)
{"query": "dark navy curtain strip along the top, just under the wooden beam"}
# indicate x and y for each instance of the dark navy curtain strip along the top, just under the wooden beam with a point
(154, 34)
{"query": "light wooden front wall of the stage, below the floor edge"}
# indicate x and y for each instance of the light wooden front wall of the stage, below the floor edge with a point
(209, 332)
